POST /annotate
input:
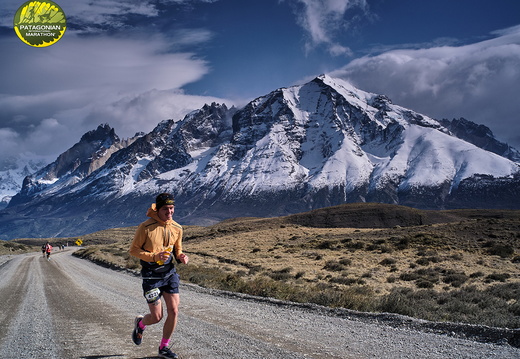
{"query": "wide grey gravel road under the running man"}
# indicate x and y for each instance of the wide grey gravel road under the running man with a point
(71, 308)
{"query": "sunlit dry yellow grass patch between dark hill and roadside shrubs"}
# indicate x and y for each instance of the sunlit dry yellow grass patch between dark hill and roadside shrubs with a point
(372, 257)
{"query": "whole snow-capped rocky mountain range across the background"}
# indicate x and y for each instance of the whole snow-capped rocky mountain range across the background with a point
(308, 146)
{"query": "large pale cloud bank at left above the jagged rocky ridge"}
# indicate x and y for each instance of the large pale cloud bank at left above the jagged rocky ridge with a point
(113, 66)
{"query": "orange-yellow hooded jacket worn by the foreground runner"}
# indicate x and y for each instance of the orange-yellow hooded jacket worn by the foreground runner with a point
(154, 235)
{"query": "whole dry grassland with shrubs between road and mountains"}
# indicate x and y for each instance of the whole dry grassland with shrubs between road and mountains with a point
(463, 266)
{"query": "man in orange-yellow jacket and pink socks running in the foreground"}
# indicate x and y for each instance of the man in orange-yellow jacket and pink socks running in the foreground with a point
(157, 242)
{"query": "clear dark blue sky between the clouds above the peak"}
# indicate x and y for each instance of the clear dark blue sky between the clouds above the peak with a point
(261, 47)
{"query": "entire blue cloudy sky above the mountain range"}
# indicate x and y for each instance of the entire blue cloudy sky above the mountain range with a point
(134, 63)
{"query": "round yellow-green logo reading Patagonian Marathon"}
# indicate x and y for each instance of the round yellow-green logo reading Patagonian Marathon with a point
(40, 23)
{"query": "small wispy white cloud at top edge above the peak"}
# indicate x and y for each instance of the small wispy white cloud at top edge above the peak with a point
(322, 19)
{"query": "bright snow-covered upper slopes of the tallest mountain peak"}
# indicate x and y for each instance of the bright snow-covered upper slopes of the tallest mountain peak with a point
(324, 142)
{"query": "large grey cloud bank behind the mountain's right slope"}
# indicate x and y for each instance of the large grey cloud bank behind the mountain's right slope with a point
(479, 81)
